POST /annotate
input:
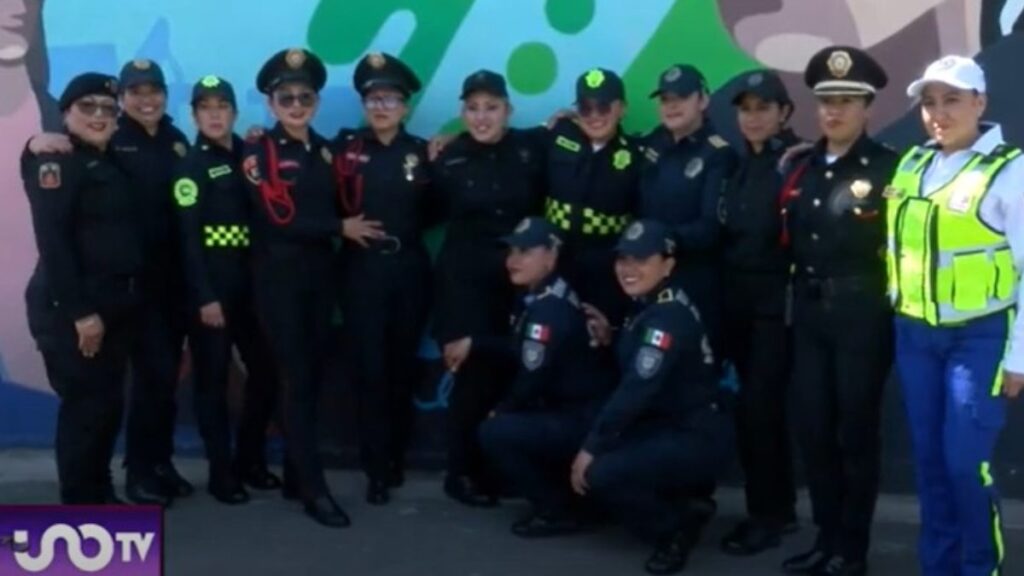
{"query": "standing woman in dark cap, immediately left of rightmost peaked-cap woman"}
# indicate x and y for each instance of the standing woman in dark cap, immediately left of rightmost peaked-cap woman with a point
(757, 339)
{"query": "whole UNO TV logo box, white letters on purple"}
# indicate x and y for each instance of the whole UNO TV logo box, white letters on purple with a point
(88, 542)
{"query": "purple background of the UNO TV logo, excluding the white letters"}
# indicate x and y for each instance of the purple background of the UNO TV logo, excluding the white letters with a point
(36, 520)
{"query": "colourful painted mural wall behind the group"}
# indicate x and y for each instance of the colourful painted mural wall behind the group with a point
(541, 46)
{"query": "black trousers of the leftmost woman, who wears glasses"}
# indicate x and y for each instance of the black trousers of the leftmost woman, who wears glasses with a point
(92, 393)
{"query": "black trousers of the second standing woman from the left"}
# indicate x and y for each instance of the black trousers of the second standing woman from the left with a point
(156, 361)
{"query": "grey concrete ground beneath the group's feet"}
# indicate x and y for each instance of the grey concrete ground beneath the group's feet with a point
(422, 532)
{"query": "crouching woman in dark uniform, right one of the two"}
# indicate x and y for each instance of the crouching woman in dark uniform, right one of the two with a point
(662, 435)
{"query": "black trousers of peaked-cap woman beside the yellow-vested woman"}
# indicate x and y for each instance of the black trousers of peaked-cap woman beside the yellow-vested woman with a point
(843, 355)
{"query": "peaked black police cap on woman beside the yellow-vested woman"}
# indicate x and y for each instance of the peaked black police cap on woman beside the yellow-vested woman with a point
(844, 70)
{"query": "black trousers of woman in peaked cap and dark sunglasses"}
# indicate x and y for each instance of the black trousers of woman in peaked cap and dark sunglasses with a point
(295, 299)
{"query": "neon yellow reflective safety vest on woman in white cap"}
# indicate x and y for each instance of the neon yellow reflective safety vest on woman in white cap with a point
(946, 265)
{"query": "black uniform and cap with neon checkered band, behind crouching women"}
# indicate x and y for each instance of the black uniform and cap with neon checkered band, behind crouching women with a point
(592, 195)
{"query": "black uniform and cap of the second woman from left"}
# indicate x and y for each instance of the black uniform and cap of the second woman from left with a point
(150, 161)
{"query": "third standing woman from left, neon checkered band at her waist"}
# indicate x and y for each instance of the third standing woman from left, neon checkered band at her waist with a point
(215, 209)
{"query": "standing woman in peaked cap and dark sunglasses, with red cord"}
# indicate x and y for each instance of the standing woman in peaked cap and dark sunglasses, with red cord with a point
(294, 187)
